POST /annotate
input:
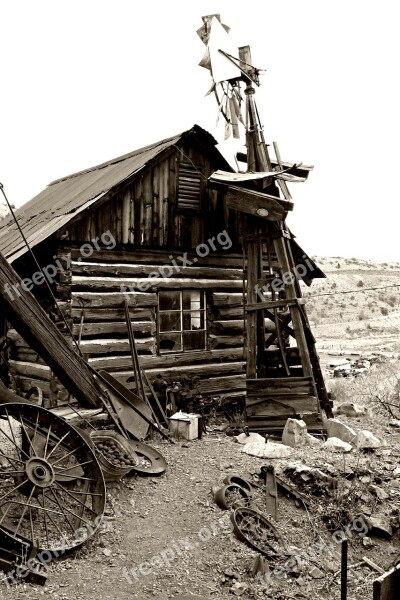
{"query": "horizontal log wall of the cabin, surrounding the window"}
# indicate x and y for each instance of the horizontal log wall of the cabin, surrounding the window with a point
(93, 304)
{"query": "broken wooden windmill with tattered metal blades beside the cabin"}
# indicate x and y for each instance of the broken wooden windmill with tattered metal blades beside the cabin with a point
(283, 374)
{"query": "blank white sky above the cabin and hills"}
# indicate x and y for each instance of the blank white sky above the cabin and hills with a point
(85, 81)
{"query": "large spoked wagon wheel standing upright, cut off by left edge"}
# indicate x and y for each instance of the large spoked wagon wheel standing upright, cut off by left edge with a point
(52, 491)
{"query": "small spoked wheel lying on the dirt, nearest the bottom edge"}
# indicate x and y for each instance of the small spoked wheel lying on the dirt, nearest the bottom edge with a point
(251, 527)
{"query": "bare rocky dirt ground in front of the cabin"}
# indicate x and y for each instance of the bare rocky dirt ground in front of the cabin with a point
(165, 537)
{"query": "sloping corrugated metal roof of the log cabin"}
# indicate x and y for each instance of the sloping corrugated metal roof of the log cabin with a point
(64, 198)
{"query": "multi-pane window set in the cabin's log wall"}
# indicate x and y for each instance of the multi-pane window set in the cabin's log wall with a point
(182, 321)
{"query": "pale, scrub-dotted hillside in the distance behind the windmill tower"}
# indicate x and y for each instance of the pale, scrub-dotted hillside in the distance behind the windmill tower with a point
(346, 314)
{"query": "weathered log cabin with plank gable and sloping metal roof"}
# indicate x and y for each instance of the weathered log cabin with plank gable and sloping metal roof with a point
(143, 227)
